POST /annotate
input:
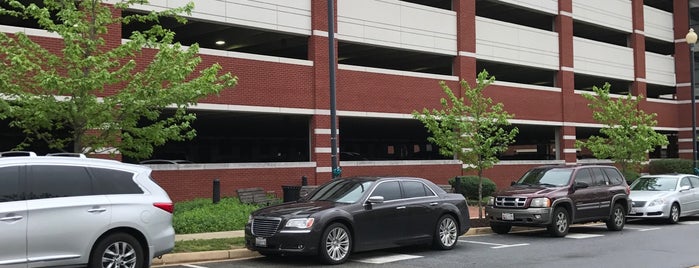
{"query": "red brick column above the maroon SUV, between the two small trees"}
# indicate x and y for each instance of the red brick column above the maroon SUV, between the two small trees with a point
(565, 79)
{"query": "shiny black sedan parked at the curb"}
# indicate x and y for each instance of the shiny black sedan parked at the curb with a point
(359, 214)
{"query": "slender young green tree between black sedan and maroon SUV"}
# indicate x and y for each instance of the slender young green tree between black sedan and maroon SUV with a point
(471, 128)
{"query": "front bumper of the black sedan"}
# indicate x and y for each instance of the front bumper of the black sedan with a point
(283, 243)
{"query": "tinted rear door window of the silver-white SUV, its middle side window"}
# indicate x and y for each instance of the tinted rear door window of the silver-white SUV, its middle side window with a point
(58, 181)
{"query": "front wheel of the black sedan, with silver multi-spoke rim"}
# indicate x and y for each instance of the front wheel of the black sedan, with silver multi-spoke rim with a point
(335, 244)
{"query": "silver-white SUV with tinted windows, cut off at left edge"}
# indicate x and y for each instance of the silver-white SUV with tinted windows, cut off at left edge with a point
(65, 211)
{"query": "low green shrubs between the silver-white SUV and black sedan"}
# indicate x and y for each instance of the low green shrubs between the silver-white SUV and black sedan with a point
(202, 215)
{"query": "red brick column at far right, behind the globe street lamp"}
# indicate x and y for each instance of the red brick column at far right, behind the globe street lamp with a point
(683, 77)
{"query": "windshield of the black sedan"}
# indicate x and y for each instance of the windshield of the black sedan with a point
(341, 191)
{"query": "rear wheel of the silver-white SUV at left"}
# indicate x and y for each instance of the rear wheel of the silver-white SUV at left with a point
(117, 250)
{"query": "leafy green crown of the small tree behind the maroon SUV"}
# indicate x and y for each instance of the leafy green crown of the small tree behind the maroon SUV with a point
(628, 132)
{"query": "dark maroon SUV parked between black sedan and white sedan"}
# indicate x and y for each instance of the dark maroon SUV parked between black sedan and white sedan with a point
(557, 196)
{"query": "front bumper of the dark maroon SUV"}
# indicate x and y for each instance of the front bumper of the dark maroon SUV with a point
(520, 217)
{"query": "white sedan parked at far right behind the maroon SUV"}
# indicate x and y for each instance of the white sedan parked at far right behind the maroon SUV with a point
(668, 196)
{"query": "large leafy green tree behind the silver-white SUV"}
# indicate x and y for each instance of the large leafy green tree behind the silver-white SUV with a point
(87, 94)
